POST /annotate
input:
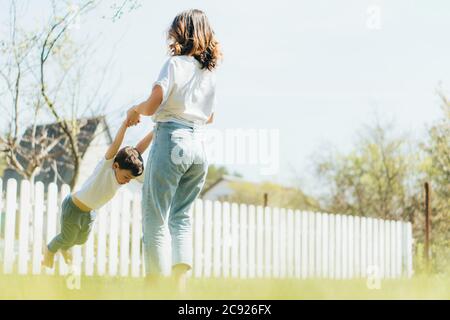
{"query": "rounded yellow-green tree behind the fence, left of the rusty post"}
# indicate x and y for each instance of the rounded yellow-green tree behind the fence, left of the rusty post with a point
(374, 179)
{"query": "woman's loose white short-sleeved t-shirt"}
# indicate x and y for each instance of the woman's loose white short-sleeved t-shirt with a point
(189, 92)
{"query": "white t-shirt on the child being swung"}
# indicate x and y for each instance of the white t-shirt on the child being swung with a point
(100, 187)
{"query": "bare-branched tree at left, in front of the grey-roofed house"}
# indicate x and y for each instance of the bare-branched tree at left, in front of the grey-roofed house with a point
(44, 76)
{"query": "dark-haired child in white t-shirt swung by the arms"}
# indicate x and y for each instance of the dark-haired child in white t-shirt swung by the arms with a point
(116, 169)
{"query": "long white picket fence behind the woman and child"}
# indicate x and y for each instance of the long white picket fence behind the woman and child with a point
(230, 240)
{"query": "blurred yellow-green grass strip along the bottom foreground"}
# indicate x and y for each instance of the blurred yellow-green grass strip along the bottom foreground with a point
(55, 287)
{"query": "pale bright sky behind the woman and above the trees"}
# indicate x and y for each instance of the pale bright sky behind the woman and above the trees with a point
(316, 71)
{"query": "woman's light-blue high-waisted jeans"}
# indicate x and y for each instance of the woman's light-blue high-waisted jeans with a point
(174, 176)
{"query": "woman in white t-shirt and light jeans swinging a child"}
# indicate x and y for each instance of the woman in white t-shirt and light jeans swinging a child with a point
(182, 102)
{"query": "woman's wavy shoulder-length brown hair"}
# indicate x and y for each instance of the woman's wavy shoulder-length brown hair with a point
(191, 34)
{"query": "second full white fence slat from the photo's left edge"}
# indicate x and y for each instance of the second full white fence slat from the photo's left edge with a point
(24, 220)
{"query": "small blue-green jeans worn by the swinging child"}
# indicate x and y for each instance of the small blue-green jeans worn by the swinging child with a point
(76, 225)
